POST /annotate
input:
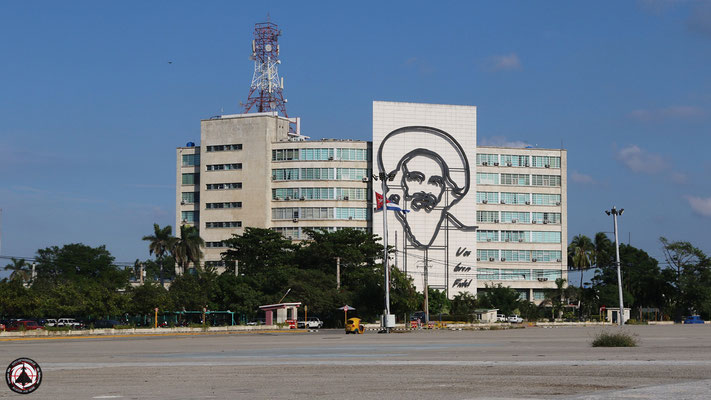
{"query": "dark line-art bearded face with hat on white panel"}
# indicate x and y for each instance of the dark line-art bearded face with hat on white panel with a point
(423, 185)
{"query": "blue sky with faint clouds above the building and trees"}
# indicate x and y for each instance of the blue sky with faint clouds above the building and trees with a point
(96, 96)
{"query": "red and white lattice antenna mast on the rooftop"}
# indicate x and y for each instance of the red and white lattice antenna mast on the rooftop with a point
(266, 91)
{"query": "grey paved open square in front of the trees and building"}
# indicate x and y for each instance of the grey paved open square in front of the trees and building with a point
(670, 362)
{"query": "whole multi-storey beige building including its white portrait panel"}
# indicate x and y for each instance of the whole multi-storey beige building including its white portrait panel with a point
(460, 217)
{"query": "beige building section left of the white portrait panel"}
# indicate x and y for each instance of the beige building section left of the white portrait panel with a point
(250, 170)
